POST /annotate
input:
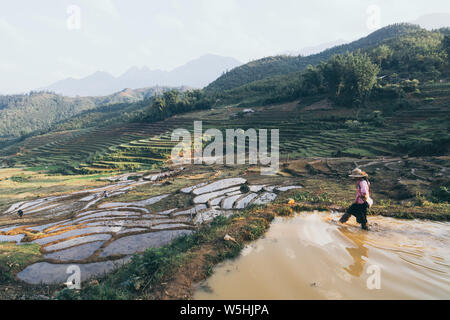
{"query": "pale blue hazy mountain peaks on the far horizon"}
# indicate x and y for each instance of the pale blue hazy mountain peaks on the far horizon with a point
(196, 74)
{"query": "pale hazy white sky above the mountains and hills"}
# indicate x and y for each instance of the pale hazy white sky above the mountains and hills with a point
(48, 40)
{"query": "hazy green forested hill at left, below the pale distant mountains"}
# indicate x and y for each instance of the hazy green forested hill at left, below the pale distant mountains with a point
(38, 111)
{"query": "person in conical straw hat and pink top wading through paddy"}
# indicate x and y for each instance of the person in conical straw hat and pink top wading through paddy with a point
(362, 201)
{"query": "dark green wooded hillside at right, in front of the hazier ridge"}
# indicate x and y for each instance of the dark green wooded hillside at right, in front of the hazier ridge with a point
(421, 56)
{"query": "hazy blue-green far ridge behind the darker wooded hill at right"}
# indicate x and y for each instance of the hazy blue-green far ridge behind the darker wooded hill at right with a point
(279, 65)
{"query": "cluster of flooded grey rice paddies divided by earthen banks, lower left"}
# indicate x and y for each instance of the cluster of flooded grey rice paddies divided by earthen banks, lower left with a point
(94, 230)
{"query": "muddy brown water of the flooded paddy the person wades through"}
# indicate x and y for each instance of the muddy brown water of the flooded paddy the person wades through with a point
(311, 256)
